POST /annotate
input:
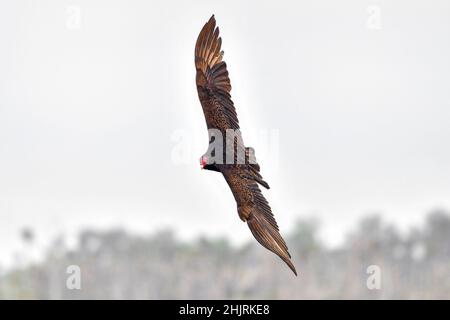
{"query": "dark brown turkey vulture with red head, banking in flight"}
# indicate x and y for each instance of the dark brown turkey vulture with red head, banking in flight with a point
(242, 171)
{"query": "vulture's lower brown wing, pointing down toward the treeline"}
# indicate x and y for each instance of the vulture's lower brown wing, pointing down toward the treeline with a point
(255, 210)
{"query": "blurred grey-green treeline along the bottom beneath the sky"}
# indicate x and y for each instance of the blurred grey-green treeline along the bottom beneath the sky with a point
(117, 265)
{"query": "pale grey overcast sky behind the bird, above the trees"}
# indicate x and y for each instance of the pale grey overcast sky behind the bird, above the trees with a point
(347, 105)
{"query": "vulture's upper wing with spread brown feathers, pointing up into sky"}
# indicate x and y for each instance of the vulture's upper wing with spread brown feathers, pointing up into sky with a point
(213, 83)
